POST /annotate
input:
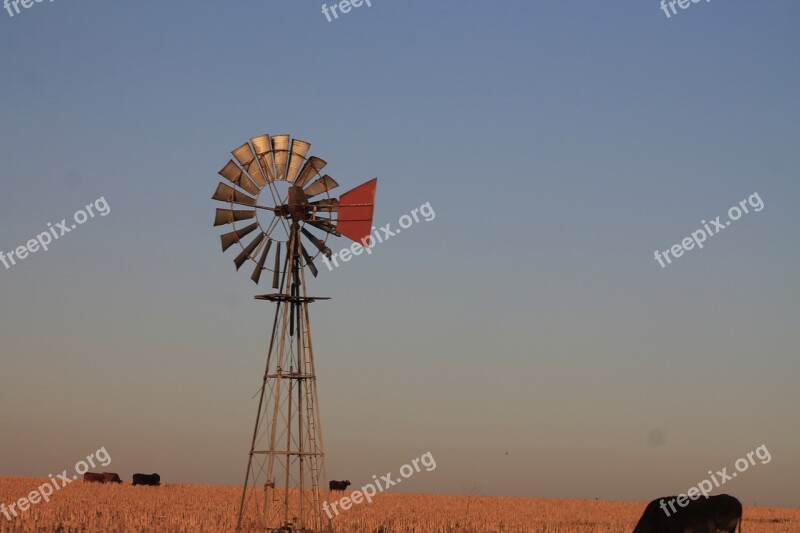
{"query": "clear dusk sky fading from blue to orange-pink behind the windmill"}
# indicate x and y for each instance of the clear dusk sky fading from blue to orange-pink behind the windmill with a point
(526, 336)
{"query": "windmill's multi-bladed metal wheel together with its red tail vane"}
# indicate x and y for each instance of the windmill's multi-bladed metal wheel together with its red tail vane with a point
(275, 192)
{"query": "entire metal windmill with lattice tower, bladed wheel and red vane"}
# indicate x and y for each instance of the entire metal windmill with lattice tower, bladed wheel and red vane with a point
(282, 214)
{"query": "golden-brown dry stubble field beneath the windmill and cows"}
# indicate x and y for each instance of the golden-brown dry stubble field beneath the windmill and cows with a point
(94, 507)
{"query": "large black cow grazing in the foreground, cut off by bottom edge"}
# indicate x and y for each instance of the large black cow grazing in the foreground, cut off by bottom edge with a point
(717, 513)
